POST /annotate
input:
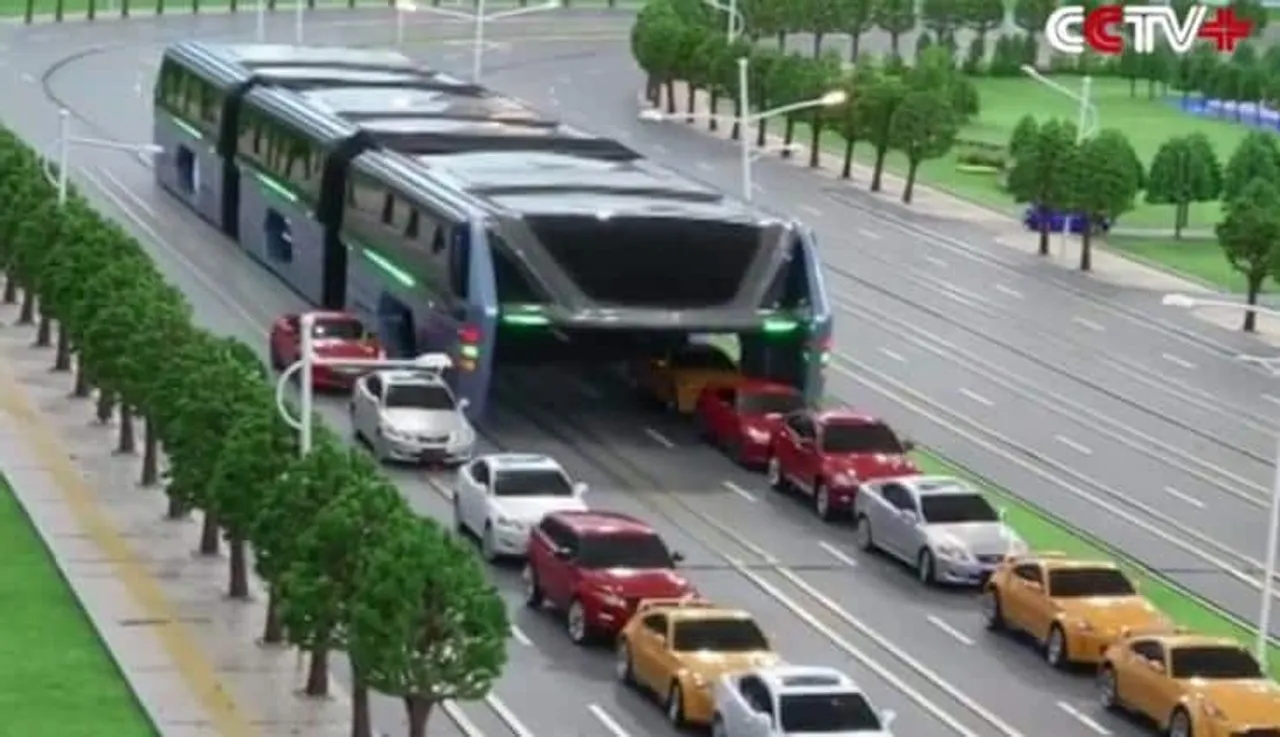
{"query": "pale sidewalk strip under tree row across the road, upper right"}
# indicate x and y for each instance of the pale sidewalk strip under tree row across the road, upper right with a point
(1004, 230)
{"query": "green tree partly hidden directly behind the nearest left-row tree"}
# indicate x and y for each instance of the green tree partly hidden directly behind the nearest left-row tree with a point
(319, 579)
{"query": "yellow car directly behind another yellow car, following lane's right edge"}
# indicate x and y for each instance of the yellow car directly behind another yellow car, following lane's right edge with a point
(1075, 608)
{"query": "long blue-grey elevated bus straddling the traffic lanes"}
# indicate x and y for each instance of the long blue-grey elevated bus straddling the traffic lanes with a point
(458, 221)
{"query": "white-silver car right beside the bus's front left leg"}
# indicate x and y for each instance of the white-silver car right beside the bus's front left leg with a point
(412, 416)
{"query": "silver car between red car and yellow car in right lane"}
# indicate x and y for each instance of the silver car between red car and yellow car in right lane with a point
(943, 527)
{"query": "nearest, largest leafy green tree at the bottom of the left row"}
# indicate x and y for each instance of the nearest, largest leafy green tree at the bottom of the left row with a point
(426, 624)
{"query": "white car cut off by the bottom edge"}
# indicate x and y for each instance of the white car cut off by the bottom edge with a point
(793, 702)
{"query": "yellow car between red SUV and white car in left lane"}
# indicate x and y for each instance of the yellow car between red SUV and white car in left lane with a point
(678, 648)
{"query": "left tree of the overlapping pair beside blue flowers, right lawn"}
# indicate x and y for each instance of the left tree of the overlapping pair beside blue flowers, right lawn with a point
(1041, 173)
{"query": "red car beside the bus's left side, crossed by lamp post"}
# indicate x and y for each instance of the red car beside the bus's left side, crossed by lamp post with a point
(336, 336)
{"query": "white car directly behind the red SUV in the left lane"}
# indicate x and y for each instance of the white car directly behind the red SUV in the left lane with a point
(500, 498)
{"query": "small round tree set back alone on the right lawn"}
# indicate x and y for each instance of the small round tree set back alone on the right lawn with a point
(1185, 171)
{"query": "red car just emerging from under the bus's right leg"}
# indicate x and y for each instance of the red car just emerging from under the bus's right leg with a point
(743, 416)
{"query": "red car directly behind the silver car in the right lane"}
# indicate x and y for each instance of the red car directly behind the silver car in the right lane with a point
(829, 455)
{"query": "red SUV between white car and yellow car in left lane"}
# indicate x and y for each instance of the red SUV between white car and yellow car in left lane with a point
(597, 567)
